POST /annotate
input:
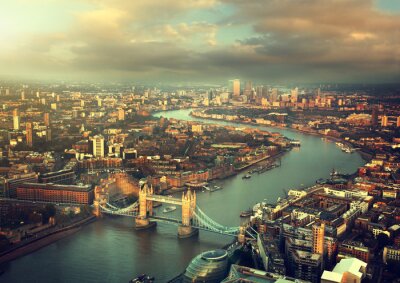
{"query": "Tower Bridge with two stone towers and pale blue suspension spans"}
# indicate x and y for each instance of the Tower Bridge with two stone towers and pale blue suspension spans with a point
(192, 219)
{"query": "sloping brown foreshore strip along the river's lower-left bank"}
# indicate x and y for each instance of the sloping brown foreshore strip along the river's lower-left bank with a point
(45, 240)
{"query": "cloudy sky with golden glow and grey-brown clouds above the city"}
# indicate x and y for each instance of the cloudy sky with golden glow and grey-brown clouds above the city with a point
(201, 40)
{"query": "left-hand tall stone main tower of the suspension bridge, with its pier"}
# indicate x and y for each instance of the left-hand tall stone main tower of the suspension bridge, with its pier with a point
(145, 208)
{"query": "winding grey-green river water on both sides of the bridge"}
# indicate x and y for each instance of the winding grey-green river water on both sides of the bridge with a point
(110, 250)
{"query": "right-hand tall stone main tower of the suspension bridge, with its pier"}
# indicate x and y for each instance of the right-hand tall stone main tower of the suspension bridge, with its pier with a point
(188, 206)
